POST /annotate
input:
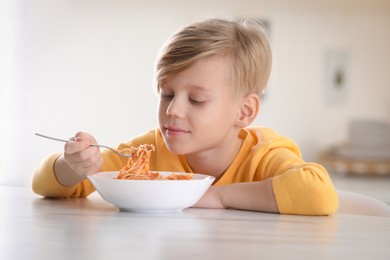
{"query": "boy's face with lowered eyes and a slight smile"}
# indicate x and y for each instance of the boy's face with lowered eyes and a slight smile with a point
(197, 111)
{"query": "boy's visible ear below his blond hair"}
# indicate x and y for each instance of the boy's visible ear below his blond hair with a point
(249, 109)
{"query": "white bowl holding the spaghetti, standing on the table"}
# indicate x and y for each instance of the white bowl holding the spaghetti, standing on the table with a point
(151, 195)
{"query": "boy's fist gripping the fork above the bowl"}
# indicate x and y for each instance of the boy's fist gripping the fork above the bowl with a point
(81, 157)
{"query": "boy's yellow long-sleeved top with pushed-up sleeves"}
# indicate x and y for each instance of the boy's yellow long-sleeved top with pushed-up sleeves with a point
(299, 187)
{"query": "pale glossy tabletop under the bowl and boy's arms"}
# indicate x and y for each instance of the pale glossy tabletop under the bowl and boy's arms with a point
(35, 228)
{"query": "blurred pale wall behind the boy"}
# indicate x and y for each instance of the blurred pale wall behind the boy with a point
(71, 65)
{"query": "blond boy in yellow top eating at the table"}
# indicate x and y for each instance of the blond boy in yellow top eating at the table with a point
(209, 77)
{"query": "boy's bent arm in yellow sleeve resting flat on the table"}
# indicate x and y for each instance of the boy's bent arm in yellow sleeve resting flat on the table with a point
(290, 184)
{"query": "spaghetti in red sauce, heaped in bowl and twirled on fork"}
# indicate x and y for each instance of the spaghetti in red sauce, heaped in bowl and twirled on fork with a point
(138, 166)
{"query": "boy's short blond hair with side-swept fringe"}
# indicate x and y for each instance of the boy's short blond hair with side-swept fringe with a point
(243, 43)
